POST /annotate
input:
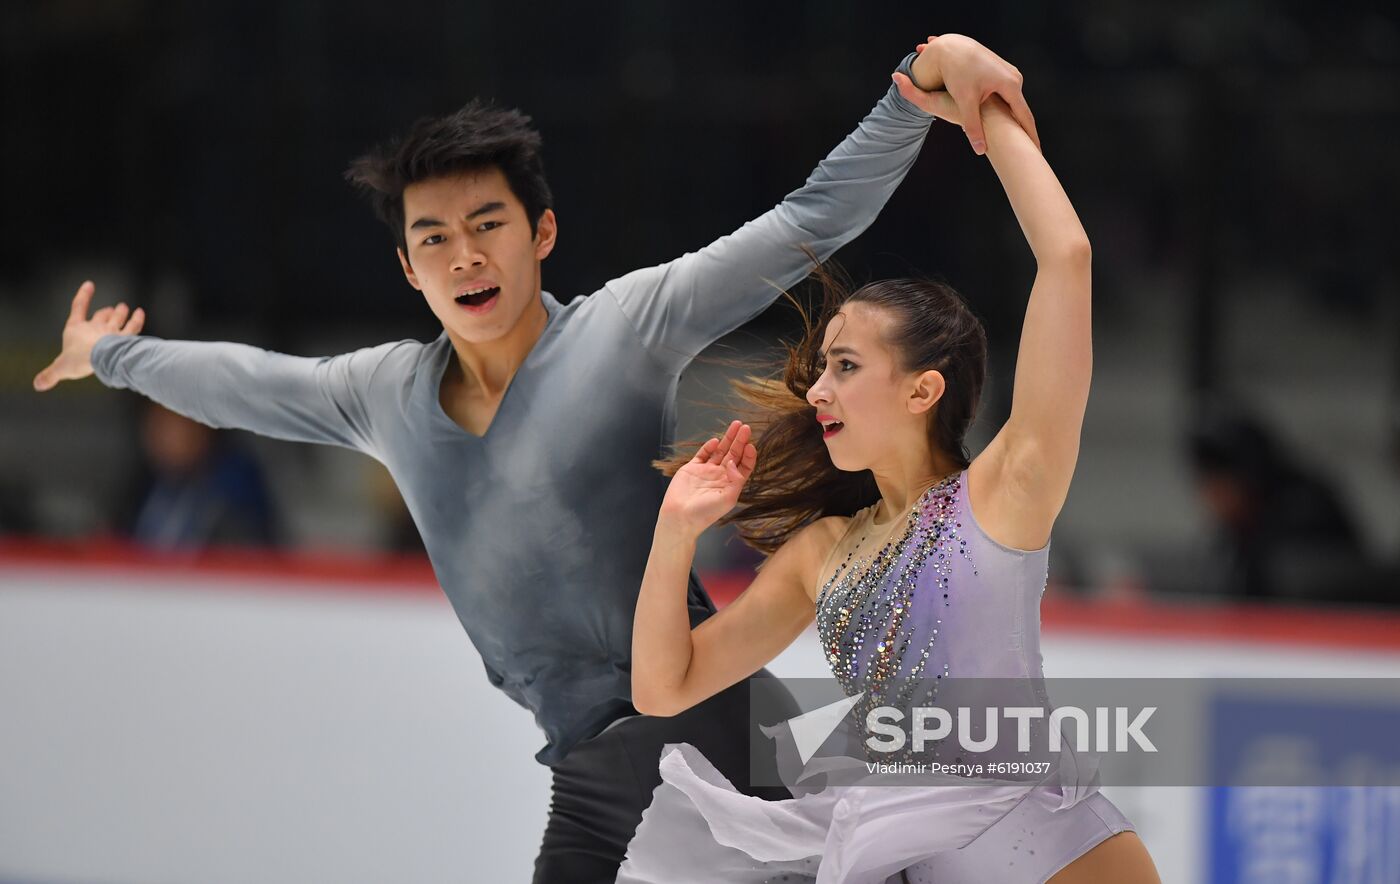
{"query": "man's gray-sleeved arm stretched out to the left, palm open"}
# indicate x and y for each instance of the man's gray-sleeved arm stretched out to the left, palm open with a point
(226, 386)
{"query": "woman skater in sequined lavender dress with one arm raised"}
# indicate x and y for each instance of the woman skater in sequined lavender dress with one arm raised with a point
(915, 560)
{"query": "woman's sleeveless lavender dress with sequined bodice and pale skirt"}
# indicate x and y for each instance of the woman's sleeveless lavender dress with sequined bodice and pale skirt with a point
(941, 602)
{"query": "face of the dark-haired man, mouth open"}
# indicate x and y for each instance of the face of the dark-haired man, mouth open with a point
(471, 253)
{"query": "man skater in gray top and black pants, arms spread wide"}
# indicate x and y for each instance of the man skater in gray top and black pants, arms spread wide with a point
(523, 436)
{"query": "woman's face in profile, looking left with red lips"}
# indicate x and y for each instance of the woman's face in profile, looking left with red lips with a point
(866, 403)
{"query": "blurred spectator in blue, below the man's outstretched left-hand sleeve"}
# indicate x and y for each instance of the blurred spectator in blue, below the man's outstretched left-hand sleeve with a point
(199, 490)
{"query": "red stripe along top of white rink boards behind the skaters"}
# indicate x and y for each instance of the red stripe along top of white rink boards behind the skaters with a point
(1233, 623)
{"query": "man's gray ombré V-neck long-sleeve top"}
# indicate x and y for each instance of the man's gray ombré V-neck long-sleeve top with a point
(540, 530)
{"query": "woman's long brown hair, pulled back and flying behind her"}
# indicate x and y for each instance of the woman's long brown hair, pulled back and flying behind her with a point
(794, 483)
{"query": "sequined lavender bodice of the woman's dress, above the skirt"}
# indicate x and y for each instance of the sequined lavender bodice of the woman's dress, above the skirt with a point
(939, 600)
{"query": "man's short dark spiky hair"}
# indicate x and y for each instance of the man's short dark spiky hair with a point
(478, 137)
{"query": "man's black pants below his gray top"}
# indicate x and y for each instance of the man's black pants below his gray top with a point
(604, 784)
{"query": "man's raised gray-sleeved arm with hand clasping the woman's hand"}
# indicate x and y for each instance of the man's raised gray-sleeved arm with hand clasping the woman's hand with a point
(681, 308)
